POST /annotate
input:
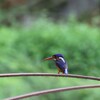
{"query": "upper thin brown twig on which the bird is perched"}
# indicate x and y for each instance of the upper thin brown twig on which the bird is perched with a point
(49, 74)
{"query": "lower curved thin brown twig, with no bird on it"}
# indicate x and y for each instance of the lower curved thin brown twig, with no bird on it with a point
(53, 90)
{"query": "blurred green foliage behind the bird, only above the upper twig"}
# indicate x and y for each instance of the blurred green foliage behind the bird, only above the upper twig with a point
(23, 48)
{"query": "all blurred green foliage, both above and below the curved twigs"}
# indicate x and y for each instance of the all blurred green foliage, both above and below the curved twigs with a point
(23, 50)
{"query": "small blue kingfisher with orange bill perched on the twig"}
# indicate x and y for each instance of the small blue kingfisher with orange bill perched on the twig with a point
(60, 62)
